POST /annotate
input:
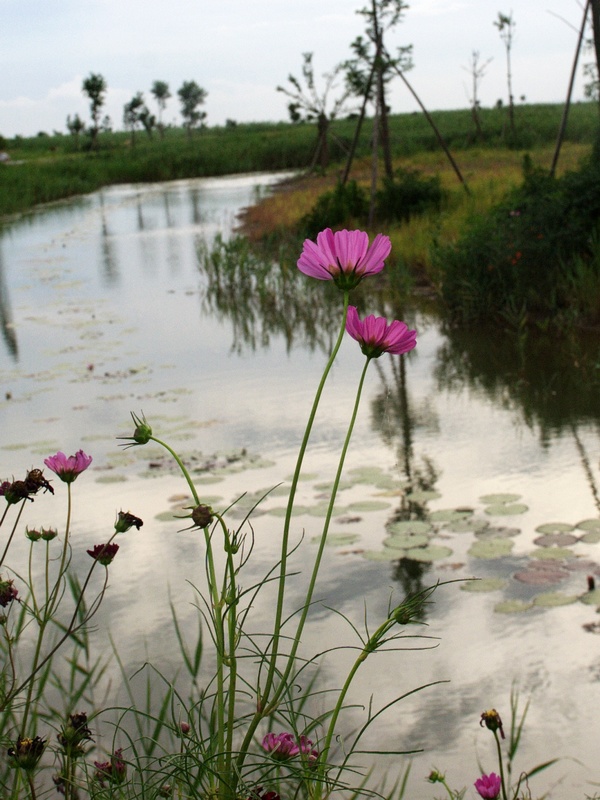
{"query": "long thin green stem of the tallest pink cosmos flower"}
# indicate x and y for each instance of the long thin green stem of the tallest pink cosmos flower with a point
(272, 669)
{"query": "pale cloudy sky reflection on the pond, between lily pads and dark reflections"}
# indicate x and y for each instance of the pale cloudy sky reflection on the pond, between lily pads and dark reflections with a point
(104, 297)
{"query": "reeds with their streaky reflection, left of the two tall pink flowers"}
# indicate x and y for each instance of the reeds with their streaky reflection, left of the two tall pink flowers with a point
(262, 298)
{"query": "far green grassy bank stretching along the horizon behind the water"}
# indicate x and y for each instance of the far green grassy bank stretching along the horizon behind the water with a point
(48, 168)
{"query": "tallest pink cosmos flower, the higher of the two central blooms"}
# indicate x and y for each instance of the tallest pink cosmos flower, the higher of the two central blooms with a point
(344, 257)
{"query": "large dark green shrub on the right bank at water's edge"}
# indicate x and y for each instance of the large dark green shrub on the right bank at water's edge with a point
(517, 257)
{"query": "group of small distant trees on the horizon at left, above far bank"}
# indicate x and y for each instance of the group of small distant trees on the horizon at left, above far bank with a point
(136, 113)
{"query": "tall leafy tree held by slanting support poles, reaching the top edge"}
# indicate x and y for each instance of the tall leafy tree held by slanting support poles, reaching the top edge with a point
(372, 67)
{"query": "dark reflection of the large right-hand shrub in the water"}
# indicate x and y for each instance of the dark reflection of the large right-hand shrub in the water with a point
(554, 383)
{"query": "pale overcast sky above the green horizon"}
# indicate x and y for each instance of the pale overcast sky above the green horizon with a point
(240, 50)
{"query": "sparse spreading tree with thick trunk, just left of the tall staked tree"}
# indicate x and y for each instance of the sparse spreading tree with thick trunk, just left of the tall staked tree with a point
(310, 104)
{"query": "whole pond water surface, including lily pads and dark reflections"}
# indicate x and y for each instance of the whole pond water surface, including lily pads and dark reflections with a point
(475, 456)
